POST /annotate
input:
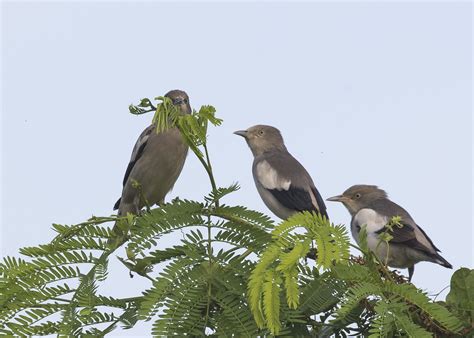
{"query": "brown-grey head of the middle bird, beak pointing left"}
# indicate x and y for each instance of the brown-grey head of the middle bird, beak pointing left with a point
(261, 138)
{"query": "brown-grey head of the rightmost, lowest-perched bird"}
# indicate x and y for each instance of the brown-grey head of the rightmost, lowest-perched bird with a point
(358, 197)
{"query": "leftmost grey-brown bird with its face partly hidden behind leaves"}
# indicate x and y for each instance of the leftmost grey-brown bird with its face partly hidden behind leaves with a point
(156, 162)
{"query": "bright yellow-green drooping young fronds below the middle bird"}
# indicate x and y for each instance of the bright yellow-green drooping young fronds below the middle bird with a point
(284, 257)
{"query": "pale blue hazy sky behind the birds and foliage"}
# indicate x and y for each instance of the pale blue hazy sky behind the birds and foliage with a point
(376, 93)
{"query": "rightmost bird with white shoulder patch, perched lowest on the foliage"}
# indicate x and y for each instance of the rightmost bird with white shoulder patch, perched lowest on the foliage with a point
(370, 206)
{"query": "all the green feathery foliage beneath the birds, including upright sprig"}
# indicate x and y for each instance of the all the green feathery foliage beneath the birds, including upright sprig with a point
(233, 273)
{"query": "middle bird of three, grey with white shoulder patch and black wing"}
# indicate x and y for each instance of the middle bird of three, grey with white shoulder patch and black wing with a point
(282, 182)
